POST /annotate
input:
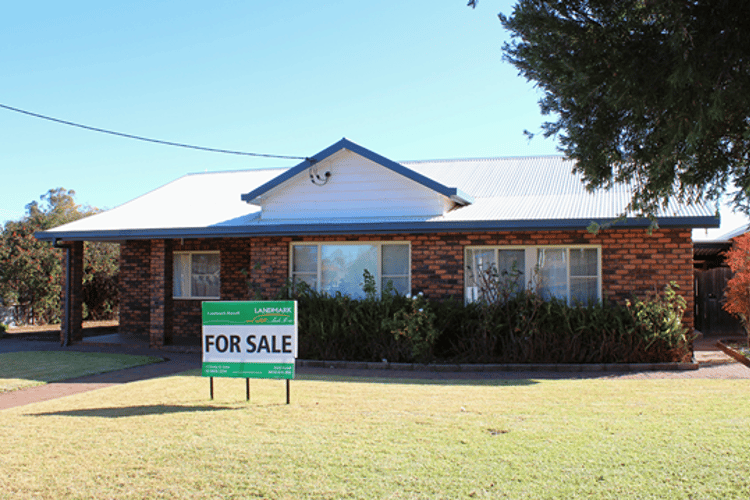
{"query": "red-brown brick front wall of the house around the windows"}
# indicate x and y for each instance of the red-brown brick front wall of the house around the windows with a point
(633, 262)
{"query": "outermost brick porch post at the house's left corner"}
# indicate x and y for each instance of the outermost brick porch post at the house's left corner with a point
(71, 329)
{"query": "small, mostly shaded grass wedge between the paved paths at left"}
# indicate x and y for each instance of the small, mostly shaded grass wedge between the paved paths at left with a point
(19, 370)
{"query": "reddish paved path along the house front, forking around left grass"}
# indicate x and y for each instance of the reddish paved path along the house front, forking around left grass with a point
(714, 364)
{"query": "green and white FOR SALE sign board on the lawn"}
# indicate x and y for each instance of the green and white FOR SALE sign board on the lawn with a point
(249, 339)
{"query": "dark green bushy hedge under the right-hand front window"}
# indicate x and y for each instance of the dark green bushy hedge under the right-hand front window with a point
(525, 328)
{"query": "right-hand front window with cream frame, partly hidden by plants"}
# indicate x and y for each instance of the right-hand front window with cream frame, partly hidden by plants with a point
(569, 273)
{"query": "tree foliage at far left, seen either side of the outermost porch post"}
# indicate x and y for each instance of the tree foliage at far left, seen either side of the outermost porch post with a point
(31, 270)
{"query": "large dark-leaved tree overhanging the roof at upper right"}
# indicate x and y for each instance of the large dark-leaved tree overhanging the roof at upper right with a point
(653, 92)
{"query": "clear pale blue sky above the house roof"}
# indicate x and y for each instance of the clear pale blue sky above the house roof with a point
(411, 80)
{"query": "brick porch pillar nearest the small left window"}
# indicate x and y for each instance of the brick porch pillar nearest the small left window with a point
(161, 301)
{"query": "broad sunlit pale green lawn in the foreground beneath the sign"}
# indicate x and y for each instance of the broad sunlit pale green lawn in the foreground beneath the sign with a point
(339, 438)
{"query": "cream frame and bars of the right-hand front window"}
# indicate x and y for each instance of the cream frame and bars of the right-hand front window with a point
(530, 265)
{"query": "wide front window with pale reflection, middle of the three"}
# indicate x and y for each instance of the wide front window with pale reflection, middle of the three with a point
(339, 267)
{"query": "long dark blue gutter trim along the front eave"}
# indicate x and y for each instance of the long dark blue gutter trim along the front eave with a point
(367, 228)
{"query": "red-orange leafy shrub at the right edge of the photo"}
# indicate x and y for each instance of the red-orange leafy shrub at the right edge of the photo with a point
(737, 293)
